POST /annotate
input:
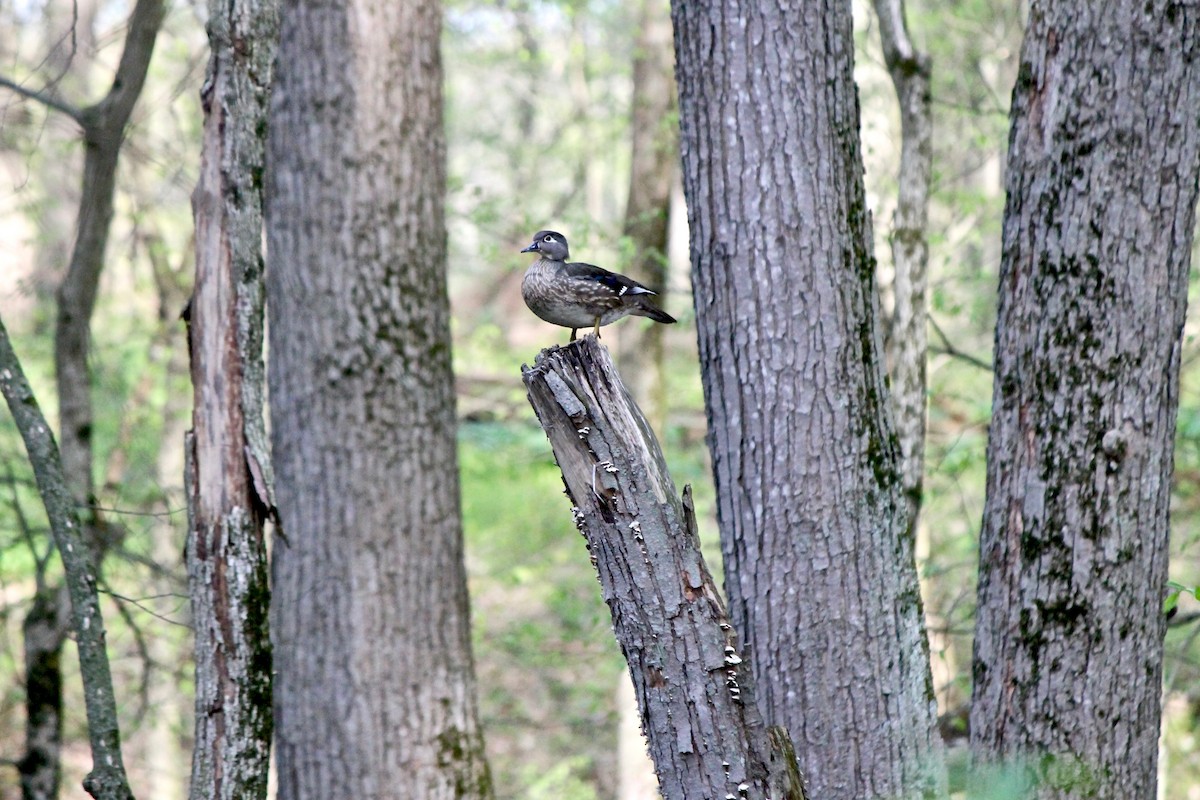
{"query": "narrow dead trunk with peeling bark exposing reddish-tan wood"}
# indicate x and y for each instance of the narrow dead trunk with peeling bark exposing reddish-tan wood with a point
(227, 458)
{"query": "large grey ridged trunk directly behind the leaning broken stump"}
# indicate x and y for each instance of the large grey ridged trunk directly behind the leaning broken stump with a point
(818, 551)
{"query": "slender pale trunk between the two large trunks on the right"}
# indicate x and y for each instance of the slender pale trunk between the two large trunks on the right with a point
(908, 344)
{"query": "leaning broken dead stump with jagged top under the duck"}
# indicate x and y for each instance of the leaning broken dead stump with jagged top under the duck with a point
(706, 736)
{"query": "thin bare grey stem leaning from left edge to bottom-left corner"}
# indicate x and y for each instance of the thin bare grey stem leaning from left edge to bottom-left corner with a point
(107, 780)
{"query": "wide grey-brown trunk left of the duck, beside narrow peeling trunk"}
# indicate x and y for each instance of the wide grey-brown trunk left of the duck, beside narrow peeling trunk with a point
(375, 684)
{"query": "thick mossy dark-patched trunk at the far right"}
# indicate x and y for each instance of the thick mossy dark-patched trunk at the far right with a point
(1103, 165)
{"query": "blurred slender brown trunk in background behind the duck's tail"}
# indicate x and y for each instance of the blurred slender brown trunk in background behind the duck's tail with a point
(653, 164)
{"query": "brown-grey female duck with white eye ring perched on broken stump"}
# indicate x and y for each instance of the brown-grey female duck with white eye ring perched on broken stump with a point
(578, 296)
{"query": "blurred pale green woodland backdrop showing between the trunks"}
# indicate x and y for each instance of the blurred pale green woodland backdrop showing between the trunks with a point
(539, 99)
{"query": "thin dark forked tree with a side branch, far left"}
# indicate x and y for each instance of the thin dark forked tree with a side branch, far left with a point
(46, 627)
